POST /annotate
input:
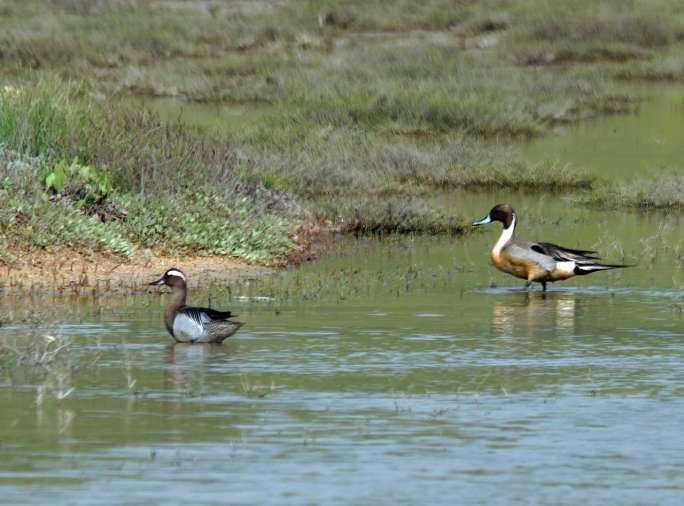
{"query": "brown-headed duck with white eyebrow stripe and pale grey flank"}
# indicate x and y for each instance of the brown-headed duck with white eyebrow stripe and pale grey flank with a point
(193, 324)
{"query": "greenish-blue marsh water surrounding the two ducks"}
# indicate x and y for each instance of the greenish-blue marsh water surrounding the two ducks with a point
(396, 371)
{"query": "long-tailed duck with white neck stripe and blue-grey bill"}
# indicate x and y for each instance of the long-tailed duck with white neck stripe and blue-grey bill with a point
(541, 262)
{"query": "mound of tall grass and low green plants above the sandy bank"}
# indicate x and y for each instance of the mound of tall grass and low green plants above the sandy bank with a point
(155, 181)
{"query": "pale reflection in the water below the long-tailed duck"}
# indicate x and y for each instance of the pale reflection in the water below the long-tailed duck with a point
(535, 313)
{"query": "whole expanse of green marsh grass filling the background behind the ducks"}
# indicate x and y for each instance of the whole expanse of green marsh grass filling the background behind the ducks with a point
(357, 112)
